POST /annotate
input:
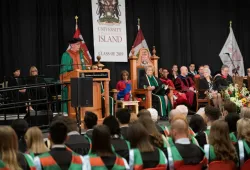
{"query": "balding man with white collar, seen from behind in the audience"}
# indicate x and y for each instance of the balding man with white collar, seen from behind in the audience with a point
(182, 148)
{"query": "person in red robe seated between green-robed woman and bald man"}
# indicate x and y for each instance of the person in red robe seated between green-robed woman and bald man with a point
(175, 96)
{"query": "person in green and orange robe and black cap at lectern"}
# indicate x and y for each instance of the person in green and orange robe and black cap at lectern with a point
(72, 59)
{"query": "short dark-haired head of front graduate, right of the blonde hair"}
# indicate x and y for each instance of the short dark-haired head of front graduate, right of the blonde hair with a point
(58, 132)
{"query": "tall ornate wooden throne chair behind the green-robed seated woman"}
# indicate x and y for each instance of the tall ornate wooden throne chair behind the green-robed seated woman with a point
(137, 65)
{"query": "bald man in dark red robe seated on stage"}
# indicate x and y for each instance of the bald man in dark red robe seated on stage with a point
(186, 85)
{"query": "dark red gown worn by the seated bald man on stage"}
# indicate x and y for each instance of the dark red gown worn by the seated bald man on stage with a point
(183, 84)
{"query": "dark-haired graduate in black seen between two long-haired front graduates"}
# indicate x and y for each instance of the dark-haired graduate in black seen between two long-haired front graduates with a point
(121, 146)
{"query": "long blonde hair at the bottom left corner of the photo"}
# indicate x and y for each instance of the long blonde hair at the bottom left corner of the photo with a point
(9, 148)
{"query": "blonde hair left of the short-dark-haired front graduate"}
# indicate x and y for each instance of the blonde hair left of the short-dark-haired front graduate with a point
(34, 140)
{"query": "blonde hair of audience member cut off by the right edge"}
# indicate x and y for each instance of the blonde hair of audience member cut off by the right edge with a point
(243, 129)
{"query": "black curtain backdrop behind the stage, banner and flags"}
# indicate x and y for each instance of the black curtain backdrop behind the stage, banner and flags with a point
(35, 32)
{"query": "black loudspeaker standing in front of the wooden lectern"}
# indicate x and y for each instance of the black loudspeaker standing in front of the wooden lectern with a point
(82, 92)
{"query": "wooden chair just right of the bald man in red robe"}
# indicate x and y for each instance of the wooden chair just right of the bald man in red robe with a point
(200, 91)
